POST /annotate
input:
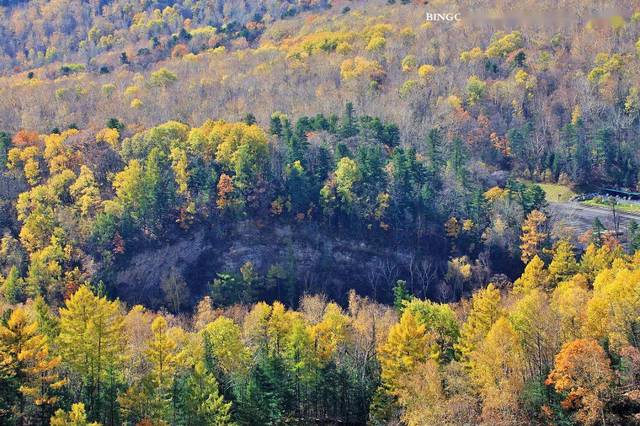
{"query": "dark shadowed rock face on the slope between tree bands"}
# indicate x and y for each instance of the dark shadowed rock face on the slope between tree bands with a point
(320, 263)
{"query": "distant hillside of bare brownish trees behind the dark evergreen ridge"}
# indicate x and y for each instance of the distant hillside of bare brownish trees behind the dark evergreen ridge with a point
(548, 97)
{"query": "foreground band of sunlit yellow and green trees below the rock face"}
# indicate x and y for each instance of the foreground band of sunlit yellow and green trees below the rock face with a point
(561, 347)
